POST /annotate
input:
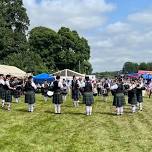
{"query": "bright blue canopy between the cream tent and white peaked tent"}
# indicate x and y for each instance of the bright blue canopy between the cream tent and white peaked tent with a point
(40, 78)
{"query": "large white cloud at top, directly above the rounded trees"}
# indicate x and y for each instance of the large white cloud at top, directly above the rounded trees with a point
(77, 14)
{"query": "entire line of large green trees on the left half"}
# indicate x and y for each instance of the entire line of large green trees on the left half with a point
(41, 49)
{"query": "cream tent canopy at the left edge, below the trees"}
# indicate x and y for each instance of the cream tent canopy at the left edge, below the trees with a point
(12, 70)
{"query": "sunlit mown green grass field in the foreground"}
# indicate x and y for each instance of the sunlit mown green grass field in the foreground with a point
(72, 131)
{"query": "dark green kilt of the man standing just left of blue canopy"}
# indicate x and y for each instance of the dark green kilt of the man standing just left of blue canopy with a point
(30, 97)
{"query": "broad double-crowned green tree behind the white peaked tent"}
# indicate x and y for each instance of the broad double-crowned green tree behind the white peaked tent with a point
(61, 50)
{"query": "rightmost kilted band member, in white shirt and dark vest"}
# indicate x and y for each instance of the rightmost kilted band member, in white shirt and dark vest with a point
(140, 87)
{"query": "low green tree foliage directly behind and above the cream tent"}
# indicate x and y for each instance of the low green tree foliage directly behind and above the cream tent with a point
(27, 61)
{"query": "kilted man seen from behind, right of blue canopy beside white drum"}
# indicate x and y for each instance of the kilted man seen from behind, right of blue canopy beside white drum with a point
(57, 96)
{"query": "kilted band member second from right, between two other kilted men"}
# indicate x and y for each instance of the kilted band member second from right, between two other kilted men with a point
(132, 96)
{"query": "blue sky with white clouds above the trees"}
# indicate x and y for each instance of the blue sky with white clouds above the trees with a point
(117, 31)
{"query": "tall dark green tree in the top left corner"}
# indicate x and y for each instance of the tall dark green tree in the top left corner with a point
(14, 23)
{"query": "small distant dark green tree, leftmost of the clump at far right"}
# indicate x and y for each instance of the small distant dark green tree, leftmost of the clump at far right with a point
(130, 67)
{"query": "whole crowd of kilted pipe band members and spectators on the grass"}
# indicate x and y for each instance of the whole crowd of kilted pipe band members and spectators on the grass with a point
(88, 89)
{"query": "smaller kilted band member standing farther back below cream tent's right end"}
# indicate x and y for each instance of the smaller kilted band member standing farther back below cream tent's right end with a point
(16, 92)
